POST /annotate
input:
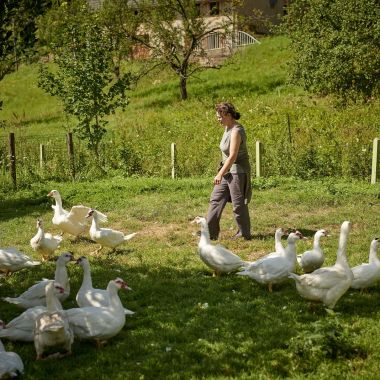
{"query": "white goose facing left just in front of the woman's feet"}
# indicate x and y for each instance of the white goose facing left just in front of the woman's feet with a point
(218, 258)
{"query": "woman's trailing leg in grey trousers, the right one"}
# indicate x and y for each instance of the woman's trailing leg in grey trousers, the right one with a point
(237, 184)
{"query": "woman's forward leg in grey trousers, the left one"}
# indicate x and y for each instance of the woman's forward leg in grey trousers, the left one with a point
(219, 197)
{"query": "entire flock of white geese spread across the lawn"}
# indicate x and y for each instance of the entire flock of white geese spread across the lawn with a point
(100, 314)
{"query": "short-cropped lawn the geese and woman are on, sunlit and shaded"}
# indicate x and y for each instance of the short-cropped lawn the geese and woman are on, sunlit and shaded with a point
(245, 332)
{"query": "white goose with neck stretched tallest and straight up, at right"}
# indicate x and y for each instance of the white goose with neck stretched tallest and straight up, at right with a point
(327, 285)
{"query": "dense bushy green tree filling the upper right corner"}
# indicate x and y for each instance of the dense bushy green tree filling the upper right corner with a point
(336, 47)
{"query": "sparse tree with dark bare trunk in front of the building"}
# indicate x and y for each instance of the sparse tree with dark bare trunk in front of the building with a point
(173, 31)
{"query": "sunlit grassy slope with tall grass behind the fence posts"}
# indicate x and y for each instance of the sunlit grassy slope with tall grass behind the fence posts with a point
(303, 135)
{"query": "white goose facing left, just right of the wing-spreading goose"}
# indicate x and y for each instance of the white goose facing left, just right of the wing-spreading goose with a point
(106, 237)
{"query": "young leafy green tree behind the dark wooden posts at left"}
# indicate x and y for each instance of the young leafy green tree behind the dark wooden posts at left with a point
(84, 77)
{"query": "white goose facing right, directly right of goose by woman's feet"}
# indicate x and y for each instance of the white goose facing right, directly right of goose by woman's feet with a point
(274, 269)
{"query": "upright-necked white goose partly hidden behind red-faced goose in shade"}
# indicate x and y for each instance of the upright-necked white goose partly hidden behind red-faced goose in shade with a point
(89, 296)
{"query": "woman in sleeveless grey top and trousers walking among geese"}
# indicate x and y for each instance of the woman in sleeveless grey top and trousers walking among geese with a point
(233, 181)
